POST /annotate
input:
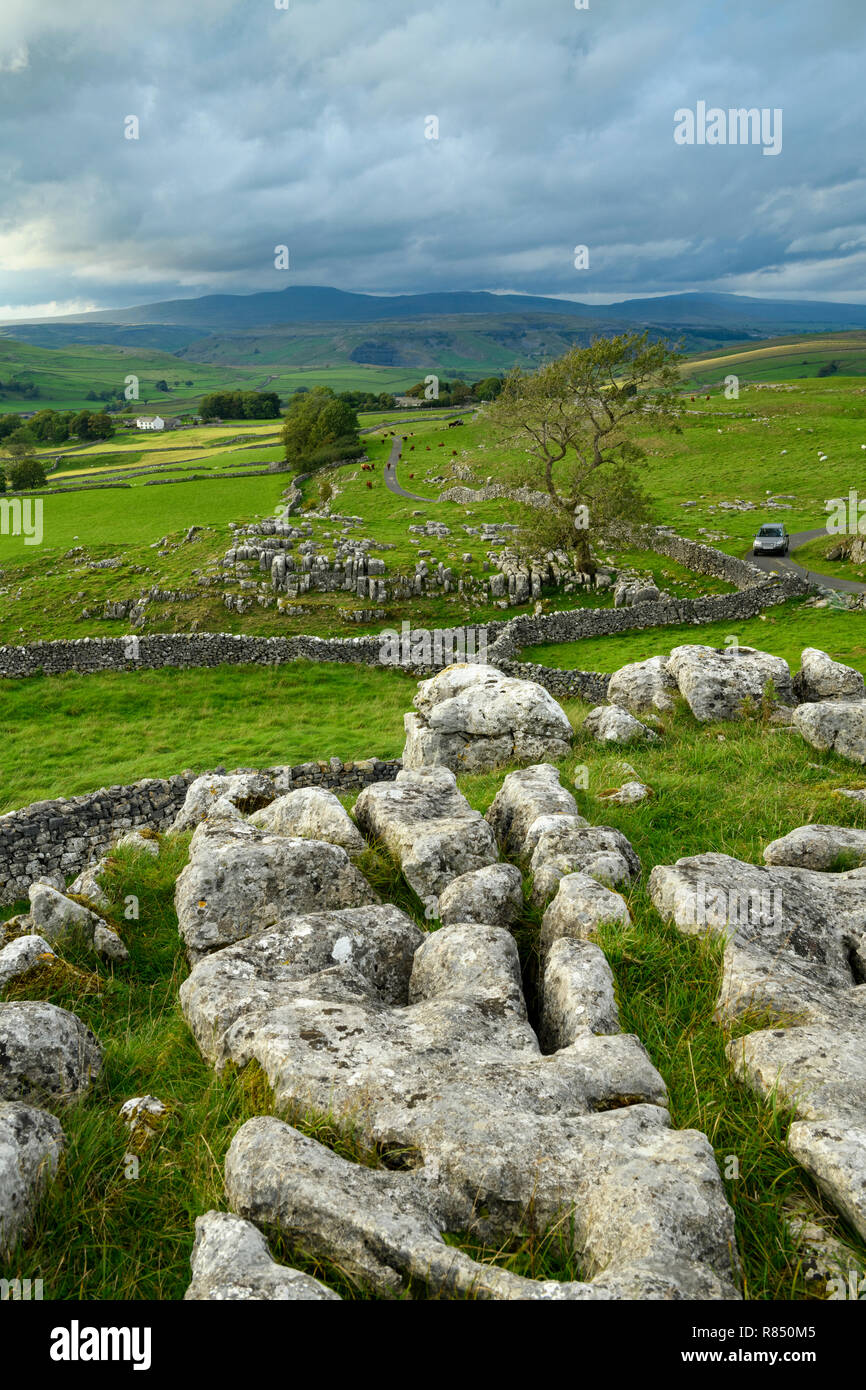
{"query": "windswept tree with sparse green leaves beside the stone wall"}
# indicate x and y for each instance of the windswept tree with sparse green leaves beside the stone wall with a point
(578, 419)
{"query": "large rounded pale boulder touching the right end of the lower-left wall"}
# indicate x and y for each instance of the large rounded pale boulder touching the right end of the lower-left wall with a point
(473, 719)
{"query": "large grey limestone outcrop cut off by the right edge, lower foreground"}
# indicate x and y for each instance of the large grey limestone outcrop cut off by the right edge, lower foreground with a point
(796, 949)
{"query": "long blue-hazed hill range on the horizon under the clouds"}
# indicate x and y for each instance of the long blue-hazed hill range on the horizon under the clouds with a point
(471, 334)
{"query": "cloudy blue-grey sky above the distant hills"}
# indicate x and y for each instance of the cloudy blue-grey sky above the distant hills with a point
(305, 124)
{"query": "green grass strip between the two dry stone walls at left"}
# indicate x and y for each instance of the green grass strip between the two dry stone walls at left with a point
(77, 733)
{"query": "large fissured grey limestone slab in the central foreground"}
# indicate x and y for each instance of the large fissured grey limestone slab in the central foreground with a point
(491, 1129)
